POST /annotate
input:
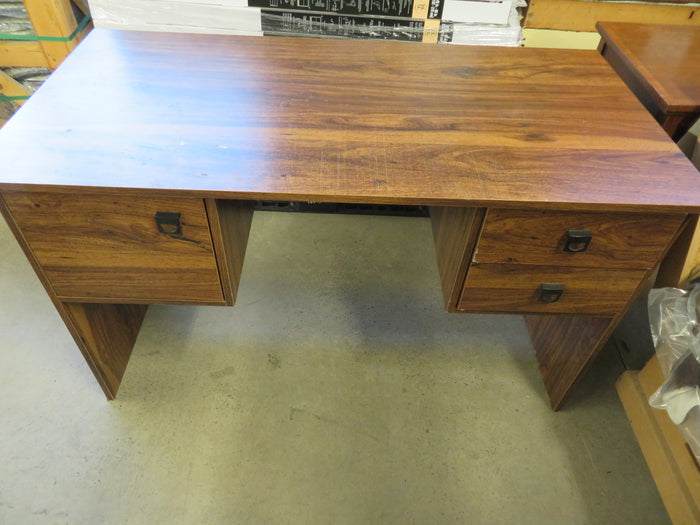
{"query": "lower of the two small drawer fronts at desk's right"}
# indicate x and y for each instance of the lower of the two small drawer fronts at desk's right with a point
(514, 288)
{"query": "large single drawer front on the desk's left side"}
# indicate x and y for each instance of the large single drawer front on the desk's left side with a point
(101, 248)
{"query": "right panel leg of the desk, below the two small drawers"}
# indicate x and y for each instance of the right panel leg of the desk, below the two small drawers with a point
(565, 347)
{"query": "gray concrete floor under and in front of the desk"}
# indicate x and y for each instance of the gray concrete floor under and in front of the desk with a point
(336, 391)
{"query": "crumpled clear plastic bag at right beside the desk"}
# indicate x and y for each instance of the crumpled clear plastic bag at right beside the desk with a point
(673, 318)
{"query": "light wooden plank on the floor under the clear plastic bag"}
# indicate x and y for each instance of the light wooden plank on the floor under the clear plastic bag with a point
(670, 461)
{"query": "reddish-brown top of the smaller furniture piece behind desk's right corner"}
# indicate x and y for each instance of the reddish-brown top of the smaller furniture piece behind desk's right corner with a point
(665, 58)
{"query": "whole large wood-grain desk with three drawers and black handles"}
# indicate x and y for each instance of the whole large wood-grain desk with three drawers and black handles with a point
(521, 154)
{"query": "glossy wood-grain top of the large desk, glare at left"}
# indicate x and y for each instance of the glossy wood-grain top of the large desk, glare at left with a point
(344, 121)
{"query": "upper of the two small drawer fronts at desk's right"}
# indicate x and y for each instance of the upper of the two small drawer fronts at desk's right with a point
(618, 240)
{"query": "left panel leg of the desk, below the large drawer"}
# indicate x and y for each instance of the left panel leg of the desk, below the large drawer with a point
(105, 334)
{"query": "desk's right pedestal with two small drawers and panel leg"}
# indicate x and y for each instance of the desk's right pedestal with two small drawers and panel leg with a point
(573, 274)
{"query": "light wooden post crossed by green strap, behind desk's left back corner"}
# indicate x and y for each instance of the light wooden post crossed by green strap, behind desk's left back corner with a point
(53, 18)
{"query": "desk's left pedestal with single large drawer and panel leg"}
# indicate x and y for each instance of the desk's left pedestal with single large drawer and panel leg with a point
(104, 257)
